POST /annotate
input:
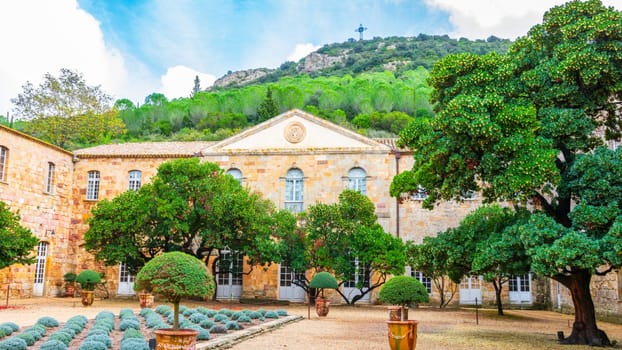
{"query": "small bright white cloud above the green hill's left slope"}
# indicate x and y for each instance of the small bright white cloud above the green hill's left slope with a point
(179, 81)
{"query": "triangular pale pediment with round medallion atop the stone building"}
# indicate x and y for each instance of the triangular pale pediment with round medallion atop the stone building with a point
(296, 131)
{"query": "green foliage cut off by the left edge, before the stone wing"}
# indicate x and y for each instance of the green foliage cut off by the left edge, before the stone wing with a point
(16, 241)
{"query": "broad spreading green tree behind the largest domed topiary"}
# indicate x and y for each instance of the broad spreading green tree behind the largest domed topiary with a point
(191, 207)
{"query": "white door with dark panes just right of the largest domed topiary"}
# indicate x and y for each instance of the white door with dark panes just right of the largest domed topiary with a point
(230, 280)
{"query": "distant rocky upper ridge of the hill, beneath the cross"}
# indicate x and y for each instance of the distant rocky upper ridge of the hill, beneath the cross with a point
(396, 54)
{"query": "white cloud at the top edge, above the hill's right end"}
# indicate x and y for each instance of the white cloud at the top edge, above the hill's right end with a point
(478, 19)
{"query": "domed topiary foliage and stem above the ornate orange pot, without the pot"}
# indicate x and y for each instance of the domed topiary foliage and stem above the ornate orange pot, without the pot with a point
(403, 291)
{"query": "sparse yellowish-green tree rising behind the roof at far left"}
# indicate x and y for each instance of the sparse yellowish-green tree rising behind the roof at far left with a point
(66, 111)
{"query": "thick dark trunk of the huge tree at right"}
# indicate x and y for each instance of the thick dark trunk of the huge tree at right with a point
(584, 329)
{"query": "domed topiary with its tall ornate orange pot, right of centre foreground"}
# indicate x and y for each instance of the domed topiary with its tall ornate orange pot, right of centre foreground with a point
(403, 291)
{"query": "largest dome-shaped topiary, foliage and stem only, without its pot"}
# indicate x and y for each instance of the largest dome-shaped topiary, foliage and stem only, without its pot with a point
(175, 275)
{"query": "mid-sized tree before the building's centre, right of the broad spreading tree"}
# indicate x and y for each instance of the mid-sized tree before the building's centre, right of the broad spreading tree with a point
(335, 235)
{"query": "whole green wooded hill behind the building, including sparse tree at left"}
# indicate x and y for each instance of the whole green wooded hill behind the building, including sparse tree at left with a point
(375, 87)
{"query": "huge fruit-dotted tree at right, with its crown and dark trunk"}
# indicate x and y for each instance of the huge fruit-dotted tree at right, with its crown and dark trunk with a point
(513, 126)
